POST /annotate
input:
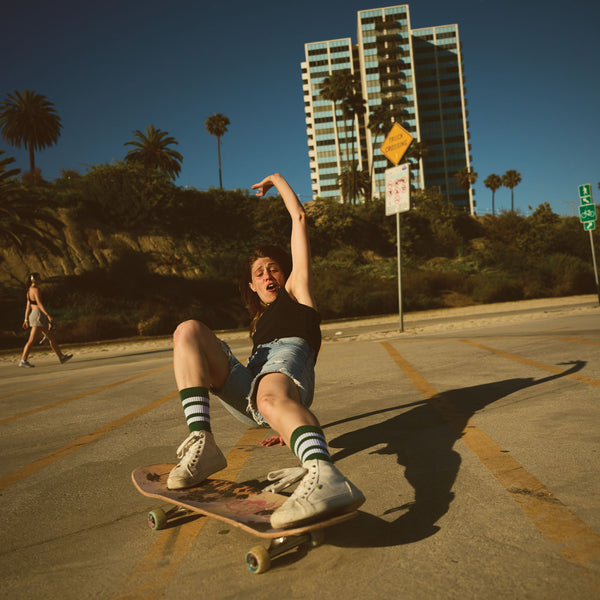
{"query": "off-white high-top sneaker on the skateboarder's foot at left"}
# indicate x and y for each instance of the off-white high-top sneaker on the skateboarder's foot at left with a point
(200, 457)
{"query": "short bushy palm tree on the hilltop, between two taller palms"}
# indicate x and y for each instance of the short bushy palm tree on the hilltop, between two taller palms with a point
(150, 150)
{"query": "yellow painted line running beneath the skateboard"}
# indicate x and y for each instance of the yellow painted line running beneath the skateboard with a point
(162, 560)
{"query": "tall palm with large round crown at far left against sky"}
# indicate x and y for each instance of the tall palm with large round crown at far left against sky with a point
(29, 119)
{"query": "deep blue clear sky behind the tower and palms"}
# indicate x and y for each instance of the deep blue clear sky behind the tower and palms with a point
(110, 68)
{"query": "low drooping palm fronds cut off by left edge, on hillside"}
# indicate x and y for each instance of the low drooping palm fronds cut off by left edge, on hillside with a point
(21, 222)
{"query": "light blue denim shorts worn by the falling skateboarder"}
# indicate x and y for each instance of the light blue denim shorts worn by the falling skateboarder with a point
(291, 356)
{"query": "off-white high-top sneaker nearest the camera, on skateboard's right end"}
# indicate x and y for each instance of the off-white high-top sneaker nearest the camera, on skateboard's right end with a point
(323, 492)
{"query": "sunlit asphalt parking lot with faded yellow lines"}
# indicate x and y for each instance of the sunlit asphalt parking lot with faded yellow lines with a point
(477, 445)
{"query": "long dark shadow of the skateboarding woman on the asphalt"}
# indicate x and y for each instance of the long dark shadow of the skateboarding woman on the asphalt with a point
(422, 439)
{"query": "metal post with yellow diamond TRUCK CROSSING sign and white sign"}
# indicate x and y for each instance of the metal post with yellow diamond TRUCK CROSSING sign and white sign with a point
(397, 190)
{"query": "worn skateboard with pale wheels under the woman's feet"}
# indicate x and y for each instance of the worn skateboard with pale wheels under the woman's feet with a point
(243, 505)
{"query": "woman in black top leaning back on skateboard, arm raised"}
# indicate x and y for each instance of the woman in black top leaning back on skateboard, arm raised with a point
(275, 388)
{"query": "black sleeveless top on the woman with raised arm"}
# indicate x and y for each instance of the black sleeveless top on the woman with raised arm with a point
(287, 318)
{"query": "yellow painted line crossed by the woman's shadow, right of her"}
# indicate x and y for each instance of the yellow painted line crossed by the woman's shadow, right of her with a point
(578, 542)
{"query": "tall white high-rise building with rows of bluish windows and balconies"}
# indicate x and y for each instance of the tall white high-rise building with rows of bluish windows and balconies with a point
(392, 74)
